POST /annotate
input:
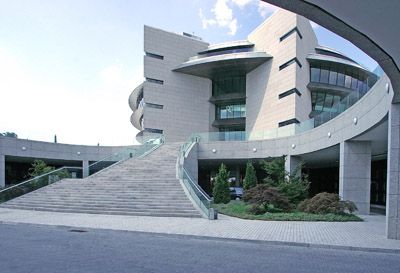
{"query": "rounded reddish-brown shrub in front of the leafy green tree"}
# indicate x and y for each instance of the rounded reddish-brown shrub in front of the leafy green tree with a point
(266, 198)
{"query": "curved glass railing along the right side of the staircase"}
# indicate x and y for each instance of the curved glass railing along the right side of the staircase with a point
(198, 196)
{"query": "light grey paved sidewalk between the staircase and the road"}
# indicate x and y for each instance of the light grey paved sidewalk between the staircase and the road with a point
(367, 234)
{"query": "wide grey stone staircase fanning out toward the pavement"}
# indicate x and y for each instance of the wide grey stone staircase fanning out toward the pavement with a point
(146, 186)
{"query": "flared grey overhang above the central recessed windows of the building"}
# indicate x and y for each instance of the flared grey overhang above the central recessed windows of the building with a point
(207, 67)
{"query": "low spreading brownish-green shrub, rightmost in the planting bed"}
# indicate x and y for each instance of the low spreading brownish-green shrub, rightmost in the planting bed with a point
(324, 203)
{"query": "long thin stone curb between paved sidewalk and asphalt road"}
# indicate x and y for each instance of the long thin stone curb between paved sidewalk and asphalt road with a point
(222, 239)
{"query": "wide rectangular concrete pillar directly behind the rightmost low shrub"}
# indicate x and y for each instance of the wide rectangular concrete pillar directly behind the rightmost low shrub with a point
(355, 174)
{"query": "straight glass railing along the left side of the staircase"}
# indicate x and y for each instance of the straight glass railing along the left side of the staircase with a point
(39, 182)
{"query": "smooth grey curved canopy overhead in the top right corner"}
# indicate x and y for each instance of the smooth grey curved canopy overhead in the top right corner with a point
(370, 25)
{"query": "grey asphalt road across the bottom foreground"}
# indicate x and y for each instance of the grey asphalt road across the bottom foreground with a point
(28, 248)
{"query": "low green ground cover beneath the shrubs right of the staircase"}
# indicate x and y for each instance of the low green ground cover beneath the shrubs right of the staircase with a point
(240, 209)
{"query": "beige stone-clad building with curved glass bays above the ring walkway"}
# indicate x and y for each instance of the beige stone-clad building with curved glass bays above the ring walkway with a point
(276, 79)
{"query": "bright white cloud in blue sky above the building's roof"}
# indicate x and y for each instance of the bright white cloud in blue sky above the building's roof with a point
(223, 17)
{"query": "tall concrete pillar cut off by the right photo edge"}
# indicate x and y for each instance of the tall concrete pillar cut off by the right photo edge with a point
(393, 174)
